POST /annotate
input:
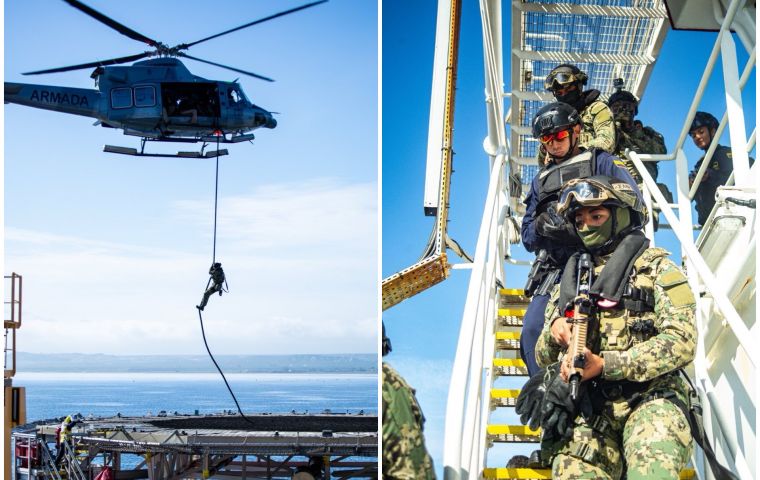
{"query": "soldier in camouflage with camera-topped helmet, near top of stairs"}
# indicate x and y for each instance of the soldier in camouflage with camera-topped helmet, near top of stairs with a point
(640, 139)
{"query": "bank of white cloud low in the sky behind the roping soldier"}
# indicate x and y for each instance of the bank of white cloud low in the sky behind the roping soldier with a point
(301, 262)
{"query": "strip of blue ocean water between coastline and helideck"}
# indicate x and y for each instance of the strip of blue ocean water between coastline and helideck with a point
(51, 395)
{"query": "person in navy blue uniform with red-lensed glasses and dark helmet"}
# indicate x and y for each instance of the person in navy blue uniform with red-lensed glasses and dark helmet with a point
(558, 127)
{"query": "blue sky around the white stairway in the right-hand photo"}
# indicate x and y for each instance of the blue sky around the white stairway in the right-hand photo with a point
(424, 329)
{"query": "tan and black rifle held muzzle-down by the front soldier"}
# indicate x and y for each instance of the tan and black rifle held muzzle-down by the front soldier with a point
(582, 308)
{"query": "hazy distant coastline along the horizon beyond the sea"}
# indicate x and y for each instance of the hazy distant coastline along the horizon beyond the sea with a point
(95, 363)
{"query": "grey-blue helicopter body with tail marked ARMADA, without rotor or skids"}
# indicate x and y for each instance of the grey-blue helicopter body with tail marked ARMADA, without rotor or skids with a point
(157, 98)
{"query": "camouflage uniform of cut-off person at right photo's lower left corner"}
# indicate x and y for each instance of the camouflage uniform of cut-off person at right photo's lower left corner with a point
(404, 453)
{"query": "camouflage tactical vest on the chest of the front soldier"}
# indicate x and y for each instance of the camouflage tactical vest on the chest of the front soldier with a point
(632, 321)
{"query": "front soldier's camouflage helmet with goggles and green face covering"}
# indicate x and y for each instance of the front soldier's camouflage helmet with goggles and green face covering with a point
(627, 212)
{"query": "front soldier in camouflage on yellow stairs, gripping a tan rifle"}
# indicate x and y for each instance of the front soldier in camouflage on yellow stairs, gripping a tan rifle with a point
(630, 412)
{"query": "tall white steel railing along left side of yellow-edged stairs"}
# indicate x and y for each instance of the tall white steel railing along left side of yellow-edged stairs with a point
(467, 407)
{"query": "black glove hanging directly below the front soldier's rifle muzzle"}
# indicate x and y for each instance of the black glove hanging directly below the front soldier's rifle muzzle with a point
(558, 411)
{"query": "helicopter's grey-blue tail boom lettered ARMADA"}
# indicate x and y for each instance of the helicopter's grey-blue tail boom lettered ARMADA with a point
(77, 101)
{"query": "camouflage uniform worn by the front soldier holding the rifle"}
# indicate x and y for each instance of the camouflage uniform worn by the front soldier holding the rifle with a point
(653, 439)
